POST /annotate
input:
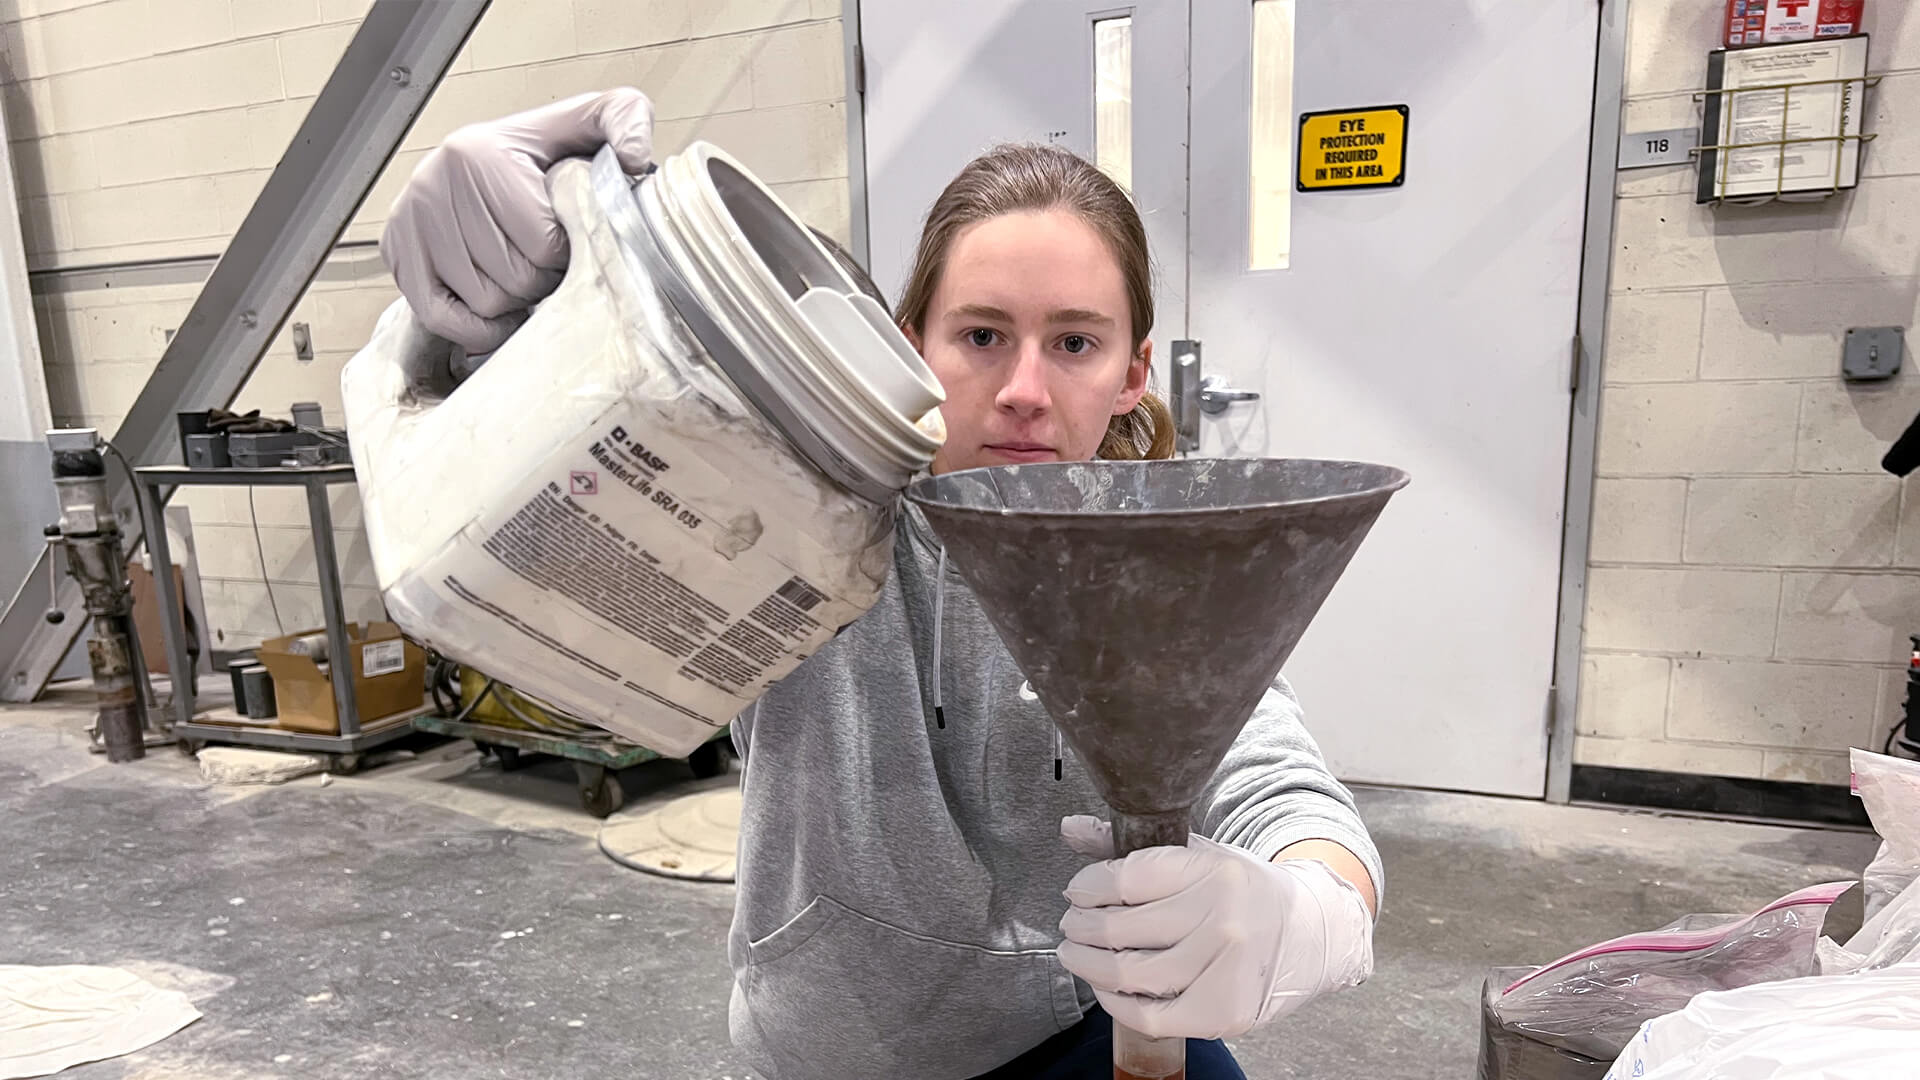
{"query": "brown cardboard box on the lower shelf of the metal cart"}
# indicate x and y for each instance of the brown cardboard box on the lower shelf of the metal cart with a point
(389, 677)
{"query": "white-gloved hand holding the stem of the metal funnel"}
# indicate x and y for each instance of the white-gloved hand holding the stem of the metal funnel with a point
(1207, 941)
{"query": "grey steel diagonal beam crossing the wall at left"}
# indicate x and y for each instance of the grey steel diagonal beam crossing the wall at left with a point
(352, 132)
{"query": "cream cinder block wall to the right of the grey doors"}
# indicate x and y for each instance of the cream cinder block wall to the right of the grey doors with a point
(1754, 572)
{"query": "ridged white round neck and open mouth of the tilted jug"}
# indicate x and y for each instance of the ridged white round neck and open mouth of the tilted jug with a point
(794, 333)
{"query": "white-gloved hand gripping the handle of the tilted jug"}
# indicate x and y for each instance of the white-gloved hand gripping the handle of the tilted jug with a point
(473, 239)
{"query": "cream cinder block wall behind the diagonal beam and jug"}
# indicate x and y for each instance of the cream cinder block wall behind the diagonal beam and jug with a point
(143, 130)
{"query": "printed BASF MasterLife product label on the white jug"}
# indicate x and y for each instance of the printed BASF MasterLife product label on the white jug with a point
(633, 533)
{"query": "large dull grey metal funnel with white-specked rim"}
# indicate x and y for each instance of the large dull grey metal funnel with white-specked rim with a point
(1153, 602)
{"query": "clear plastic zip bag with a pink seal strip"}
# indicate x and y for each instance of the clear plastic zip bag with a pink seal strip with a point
(1595, 1000)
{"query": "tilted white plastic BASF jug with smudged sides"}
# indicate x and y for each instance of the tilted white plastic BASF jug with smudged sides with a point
(673, 483)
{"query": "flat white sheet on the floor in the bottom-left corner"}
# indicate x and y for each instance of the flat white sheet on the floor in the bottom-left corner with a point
(57, 1018)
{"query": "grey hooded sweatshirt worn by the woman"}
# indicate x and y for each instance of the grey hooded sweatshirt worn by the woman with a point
(901, 883)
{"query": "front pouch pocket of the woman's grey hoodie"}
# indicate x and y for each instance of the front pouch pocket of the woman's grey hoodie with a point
(840, 994)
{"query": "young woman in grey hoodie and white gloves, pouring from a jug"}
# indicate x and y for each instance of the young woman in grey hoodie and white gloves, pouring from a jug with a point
(903, 881)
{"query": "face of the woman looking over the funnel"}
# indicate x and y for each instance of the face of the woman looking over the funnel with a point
(1030, 335)
